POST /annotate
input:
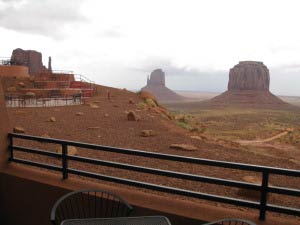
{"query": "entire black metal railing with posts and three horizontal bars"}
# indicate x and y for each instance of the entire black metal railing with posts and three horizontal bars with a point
(264, 188)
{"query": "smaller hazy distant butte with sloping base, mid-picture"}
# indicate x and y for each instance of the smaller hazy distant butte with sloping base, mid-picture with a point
(157, 86)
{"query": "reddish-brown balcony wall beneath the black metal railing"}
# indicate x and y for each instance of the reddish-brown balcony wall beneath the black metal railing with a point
(28, 194)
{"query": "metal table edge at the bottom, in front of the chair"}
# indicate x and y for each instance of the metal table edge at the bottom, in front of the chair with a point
(146, 220)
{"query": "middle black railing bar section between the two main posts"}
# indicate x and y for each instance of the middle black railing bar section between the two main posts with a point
(167, 173)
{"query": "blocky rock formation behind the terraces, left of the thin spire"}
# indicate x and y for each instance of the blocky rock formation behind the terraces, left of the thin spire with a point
(31, 59)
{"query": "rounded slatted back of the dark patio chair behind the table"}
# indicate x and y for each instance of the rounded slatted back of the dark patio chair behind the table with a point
(89, 204)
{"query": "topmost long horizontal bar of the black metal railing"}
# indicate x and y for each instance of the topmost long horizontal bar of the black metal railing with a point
(223, 164)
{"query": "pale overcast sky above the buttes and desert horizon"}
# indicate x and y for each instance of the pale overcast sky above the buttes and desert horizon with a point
(118, 43)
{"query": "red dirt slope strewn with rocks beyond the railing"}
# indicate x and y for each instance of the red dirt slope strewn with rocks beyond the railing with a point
(115, 130)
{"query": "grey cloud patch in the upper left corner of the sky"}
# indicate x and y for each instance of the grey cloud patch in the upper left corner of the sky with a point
(47, 17)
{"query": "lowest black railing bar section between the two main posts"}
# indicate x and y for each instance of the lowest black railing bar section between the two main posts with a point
(167, 189)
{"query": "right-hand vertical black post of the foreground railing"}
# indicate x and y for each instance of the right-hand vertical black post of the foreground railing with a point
(264, 195)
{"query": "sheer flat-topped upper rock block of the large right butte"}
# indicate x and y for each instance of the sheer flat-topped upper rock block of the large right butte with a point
(249, 75)
